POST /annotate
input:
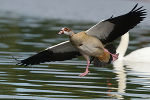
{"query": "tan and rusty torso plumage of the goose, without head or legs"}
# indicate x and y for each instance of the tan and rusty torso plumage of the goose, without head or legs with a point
(89, 45)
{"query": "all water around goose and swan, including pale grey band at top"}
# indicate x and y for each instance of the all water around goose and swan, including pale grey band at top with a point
(29, 26)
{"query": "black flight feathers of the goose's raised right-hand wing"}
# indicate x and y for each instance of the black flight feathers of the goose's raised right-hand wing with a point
(125, 22)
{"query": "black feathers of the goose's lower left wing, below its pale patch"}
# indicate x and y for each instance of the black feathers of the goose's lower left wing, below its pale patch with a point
(48, 56)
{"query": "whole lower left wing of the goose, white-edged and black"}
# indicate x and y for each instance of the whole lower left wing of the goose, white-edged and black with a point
(59, 52)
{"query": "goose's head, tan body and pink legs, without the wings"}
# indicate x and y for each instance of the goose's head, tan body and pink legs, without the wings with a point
(88, 46)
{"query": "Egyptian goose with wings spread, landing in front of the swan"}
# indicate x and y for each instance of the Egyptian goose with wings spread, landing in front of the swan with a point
(91, 42)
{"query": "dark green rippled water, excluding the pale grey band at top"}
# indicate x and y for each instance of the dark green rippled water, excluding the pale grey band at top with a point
(24, 36)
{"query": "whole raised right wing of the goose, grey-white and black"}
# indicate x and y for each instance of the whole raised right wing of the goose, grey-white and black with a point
(112, 28)
